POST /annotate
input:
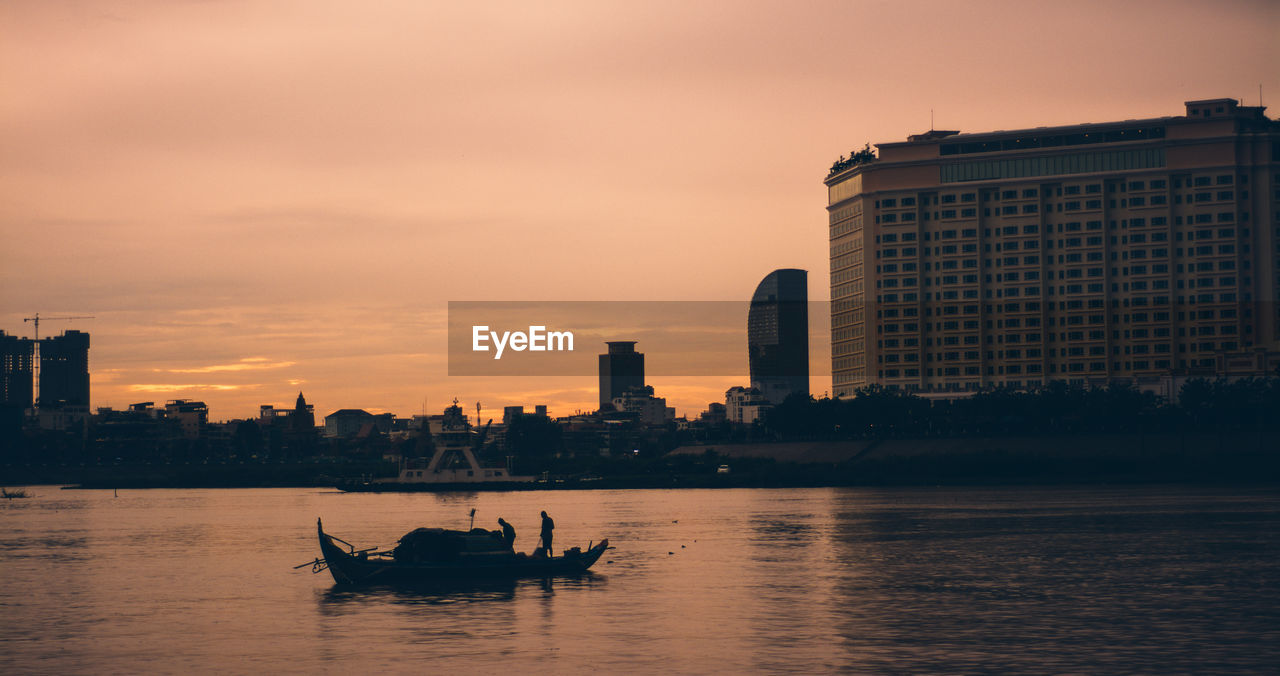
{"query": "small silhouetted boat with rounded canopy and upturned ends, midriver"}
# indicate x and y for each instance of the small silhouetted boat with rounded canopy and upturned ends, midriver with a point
(435, 555)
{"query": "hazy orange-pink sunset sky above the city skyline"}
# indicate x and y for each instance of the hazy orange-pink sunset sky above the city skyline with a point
(257, 199)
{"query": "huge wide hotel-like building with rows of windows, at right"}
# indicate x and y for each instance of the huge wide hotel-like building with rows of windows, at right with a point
(1122, 252)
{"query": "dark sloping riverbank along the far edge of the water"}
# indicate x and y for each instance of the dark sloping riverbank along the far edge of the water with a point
(948, 462)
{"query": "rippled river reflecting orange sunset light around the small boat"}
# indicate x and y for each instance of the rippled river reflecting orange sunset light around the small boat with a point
(1113, 579)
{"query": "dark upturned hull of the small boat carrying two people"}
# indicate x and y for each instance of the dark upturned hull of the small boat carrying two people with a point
(350, 569)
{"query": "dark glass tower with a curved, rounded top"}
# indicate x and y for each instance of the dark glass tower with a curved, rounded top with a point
(778, 335)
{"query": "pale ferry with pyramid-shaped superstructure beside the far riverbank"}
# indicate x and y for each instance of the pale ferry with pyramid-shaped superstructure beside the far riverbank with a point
(454, 464)
